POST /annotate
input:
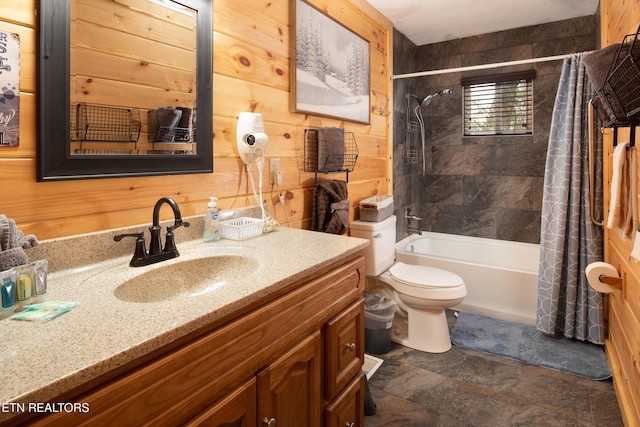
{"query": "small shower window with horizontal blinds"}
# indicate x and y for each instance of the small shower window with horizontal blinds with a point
(499, 104)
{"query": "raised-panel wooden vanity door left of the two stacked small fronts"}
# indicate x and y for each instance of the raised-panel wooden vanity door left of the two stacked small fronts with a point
(289, 389)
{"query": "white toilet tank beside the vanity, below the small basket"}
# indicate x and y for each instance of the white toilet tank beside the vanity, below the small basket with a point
(380, 254)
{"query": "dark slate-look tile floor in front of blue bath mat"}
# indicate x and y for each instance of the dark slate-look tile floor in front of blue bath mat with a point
(470, 388)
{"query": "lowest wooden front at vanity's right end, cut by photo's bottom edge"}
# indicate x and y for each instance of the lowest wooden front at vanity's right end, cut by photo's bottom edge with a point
(348, 408)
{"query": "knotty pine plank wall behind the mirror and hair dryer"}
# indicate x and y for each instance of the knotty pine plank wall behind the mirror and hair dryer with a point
(251, 73)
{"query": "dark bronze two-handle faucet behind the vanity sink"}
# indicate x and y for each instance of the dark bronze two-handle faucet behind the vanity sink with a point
(156, 252)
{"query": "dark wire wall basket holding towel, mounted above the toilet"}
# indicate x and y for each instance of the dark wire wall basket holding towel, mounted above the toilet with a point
(319, 157)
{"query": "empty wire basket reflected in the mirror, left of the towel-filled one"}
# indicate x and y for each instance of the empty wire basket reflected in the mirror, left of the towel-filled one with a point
(102, 123)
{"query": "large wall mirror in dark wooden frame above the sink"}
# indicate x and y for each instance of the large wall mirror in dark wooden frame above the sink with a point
(124, 88)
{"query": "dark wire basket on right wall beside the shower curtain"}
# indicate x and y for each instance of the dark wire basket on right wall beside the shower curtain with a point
(619, 97)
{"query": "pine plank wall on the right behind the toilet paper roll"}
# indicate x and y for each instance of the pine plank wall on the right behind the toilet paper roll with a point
(619, 18)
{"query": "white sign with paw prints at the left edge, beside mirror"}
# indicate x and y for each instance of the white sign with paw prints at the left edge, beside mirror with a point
(9, 89)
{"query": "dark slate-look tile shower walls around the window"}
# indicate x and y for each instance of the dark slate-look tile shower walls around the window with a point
(479, 186)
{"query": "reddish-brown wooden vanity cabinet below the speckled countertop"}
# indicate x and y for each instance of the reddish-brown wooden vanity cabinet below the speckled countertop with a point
(295, 360)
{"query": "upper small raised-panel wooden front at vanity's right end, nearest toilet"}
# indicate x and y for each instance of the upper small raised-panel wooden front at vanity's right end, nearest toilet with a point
(344, 348)
